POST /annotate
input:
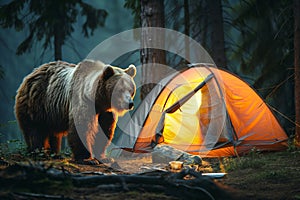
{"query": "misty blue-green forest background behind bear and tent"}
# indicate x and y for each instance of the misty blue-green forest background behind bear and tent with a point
(251, 38)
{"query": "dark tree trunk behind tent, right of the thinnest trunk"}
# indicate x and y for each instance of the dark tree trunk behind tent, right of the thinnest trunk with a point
(217, 34)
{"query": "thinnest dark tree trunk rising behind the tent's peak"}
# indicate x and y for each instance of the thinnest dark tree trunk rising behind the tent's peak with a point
(187, 28)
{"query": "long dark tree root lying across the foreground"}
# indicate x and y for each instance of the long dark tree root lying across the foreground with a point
(187, 184)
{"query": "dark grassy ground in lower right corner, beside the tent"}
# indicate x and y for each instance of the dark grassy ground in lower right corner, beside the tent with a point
(269, 175)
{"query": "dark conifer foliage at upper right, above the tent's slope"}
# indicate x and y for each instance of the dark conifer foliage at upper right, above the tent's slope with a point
(265, 39)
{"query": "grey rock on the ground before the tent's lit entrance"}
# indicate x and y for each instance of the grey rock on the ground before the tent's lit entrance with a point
(166, 154)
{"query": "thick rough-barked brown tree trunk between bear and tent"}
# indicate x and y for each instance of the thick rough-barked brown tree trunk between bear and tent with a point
(152, 15)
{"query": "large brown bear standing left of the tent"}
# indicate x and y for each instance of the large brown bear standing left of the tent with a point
(80, 101)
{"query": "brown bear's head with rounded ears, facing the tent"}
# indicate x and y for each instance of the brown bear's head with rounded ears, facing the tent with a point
(119, 88)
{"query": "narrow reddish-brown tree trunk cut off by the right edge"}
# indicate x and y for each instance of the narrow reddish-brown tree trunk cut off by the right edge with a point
(297, 67)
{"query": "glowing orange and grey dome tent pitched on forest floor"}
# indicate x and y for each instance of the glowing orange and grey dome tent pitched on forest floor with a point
(205, 111)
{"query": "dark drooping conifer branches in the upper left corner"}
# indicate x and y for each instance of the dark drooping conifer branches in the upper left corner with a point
(49, 19)
